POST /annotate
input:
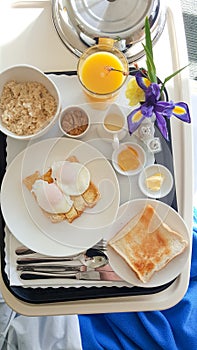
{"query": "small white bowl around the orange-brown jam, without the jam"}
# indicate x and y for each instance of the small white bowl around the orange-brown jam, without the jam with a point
(141, 156)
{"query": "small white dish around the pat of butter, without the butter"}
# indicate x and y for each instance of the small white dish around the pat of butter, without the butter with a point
(166, 185)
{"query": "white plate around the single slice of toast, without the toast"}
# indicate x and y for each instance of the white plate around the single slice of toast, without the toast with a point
(172, 219)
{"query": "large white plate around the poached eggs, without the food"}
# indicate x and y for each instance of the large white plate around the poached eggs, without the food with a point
(23, 216)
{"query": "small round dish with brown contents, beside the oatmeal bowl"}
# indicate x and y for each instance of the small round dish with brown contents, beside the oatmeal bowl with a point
(74, 122)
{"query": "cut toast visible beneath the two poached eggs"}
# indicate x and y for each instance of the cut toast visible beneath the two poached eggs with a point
(88, 199)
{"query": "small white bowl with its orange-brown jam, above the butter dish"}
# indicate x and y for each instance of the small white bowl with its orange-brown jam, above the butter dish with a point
(129, 159)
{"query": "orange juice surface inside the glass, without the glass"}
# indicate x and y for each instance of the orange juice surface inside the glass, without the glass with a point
(96, 78)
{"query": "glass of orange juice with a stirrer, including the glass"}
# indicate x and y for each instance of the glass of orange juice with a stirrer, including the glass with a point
(98, 80)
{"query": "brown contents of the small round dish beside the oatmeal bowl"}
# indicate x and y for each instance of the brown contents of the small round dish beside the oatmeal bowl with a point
(74, 121)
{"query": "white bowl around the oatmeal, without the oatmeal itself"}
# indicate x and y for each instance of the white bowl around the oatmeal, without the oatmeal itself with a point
(28, 73)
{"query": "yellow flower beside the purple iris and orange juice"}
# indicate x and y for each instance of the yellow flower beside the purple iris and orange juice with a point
(134, 93)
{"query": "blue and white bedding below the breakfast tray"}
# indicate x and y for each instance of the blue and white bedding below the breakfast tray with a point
(173, 329)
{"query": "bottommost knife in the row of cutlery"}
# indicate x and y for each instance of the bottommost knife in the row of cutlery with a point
(91, 275)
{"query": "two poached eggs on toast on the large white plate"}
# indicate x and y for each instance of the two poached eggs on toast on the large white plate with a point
(64, 191)
